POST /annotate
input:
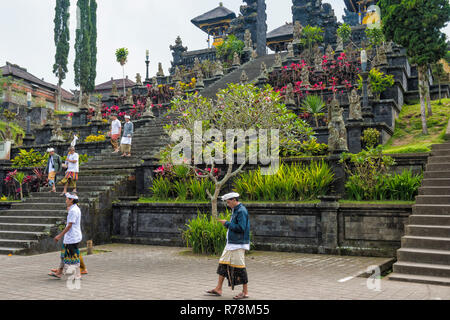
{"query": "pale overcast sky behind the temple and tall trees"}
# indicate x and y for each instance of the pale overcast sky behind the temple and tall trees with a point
(135, 24)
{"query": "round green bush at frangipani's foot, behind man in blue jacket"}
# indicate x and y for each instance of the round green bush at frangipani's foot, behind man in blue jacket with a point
(205, 234)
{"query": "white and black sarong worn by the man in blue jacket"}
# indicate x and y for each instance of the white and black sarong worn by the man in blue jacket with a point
(232, 267)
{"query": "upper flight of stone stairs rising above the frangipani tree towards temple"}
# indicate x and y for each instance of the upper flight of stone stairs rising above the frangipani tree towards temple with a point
(251, 68)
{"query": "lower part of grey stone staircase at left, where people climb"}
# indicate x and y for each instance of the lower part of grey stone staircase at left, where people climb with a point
(29, 227)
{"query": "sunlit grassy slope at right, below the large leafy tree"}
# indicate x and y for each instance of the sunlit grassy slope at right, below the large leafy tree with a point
(408, 137)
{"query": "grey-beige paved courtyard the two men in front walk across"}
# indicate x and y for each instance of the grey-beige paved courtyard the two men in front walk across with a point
(152, 272)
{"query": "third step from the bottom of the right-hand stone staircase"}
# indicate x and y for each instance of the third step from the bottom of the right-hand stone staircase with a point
(419, 255)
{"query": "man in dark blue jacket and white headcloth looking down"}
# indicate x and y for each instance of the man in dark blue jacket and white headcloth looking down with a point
(232, 262)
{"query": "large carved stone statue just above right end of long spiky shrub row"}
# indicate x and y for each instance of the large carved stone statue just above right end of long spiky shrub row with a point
(337, 133)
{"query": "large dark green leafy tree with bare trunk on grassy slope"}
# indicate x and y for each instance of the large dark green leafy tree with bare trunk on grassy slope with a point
(416, 25)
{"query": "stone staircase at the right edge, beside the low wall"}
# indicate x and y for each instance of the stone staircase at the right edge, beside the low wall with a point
(425, 253)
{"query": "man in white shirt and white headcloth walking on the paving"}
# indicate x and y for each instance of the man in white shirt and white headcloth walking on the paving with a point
(70, 253)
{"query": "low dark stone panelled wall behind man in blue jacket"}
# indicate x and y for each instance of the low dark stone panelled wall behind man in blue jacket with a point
(330, 228)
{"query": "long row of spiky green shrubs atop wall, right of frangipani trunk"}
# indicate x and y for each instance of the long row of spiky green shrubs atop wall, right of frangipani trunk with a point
(291, 183)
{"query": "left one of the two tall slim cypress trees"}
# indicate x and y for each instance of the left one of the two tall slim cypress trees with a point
(61, 37)
